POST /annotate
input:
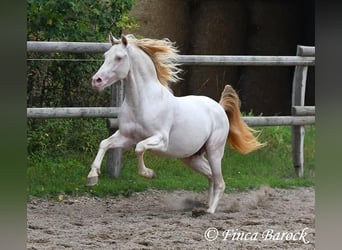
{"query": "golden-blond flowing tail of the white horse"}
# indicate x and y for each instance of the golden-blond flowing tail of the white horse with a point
(240, 136)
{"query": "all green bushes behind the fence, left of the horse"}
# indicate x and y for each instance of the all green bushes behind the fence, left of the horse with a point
(65, 80)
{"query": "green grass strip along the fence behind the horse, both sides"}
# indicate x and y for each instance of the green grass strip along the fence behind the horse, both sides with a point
(49, 176)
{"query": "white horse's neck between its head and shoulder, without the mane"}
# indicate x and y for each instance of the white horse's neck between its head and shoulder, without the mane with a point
(142, 83)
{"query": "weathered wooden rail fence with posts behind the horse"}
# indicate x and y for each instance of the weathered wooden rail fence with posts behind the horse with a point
(301, 115)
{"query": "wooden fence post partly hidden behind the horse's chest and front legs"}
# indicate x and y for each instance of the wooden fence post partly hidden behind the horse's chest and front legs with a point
(113, 166)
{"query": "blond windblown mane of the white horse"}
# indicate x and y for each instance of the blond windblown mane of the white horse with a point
(163, 55)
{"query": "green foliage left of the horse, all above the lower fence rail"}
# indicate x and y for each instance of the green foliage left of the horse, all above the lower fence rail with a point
(65, 80)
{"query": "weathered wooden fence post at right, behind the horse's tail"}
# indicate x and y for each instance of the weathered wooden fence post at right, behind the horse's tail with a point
(298, 99)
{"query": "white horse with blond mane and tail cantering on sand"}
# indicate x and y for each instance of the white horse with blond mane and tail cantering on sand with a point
(152, 118)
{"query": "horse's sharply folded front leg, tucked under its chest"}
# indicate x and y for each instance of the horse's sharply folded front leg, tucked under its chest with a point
(156, 143)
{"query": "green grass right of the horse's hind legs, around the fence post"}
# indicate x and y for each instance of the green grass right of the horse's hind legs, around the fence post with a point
(272, 164)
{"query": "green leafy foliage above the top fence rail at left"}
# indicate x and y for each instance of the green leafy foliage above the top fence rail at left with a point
(73, 20)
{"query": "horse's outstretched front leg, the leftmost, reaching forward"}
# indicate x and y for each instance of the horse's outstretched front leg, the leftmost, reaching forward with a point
(115, 141)
